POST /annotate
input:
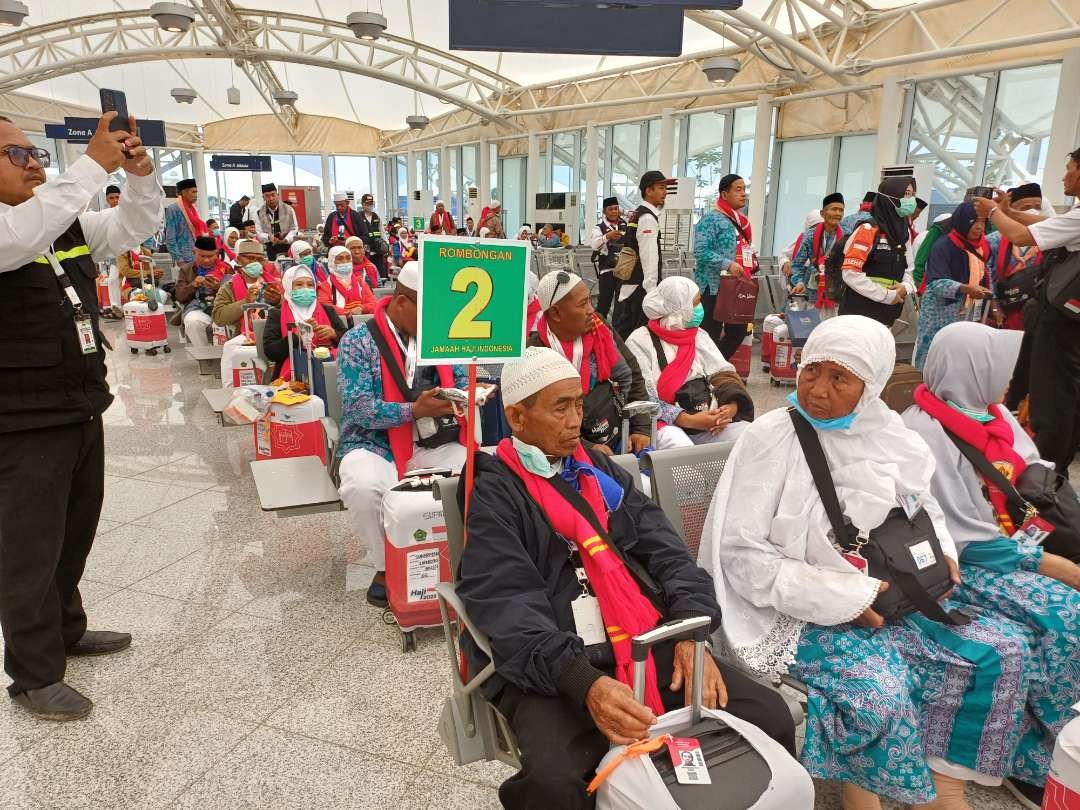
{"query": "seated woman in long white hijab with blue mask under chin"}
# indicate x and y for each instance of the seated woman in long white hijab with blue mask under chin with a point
(908, 710)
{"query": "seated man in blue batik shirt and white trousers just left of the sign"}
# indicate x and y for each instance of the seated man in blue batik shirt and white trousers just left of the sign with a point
(391, 418)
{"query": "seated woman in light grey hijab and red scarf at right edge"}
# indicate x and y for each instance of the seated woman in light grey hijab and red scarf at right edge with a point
(967, 373)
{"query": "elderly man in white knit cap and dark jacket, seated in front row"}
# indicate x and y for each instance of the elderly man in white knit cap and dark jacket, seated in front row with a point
(566, 561)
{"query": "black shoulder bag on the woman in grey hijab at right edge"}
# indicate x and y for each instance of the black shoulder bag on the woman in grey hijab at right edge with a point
(1041, 492)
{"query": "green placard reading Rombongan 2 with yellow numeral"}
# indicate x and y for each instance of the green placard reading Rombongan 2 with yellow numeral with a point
(471, 300)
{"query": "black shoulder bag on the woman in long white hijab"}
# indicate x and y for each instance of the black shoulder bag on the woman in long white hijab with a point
(902, 551)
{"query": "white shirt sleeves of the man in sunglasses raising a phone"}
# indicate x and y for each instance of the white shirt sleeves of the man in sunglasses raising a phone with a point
(29, 231)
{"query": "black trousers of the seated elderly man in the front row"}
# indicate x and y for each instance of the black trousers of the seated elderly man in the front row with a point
(561, 746)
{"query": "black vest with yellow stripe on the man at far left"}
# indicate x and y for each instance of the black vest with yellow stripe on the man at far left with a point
(47, 379)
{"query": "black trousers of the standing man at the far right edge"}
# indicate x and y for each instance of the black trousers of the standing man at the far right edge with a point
(1056, 388)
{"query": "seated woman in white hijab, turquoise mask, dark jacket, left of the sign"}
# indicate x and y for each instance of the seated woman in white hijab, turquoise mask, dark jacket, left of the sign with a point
(300, 305)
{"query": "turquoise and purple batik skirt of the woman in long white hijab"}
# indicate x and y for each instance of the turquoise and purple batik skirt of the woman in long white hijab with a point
(882, 703)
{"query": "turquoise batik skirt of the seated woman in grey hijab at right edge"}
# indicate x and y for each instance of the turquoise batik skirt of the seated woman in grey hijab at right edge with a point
(1001, 576)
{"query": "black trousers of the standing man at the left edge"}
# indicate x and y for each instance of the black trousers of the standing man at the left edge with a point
(52, 482)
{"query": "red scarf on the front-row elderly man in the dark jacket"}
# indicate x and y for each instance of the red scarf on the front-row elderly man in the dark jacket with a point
(626, 611)
